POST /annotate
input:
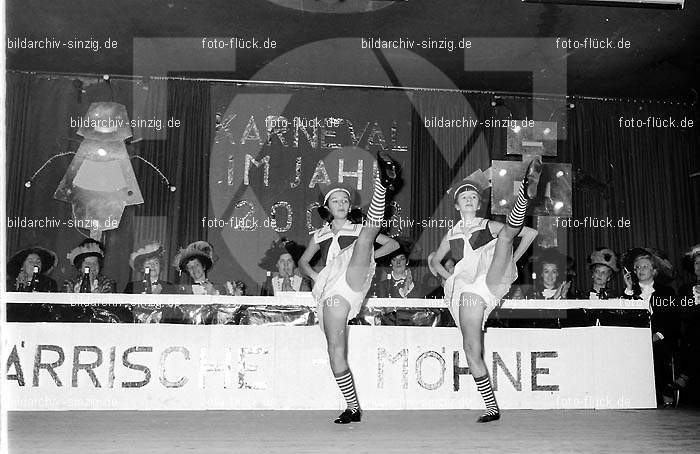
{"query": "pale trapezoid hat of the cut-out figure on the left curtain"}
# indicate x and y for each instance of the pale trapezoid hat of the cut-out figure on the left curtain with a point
(105, 121)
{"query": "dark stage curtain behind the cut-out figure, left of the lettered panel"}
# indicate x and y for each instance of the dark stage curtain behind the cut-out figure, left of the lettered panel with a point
(39, 111)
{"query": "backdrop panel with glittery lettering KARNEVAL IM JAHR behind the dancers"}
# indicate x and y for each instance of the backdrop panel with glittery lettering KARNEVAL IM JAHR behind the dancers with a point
(277, 150)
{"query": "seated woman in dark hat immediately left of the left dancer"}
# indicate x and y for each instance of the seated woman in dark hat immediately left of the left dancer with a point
(281, 260)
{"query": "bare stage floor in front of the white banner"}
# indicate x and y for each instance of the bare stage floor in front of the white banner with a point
(170, 432)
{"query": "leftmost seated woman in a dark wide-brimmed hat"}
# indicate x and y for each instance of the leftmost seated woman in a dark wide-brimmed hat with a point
(20, 270)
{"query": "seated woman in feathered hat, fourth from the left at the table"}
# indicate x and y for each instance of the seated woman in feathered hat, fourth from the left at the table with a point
(196, 260)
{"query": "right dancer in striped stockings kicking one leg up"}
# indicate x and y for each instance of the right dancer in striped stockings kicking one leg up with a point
(485, 268)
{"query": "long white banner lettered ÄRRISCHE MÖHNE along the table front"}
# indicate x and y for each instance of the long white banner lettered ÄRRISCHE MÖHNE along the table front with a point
(55, 366)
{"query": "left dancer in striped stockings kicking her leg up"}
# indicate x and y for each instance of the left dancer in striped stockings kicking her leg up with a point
(347, 251)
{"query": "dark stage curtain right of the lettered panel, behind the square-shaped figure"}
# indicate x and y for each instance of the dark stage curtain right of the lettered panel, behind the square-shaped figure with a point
(645, 172)
